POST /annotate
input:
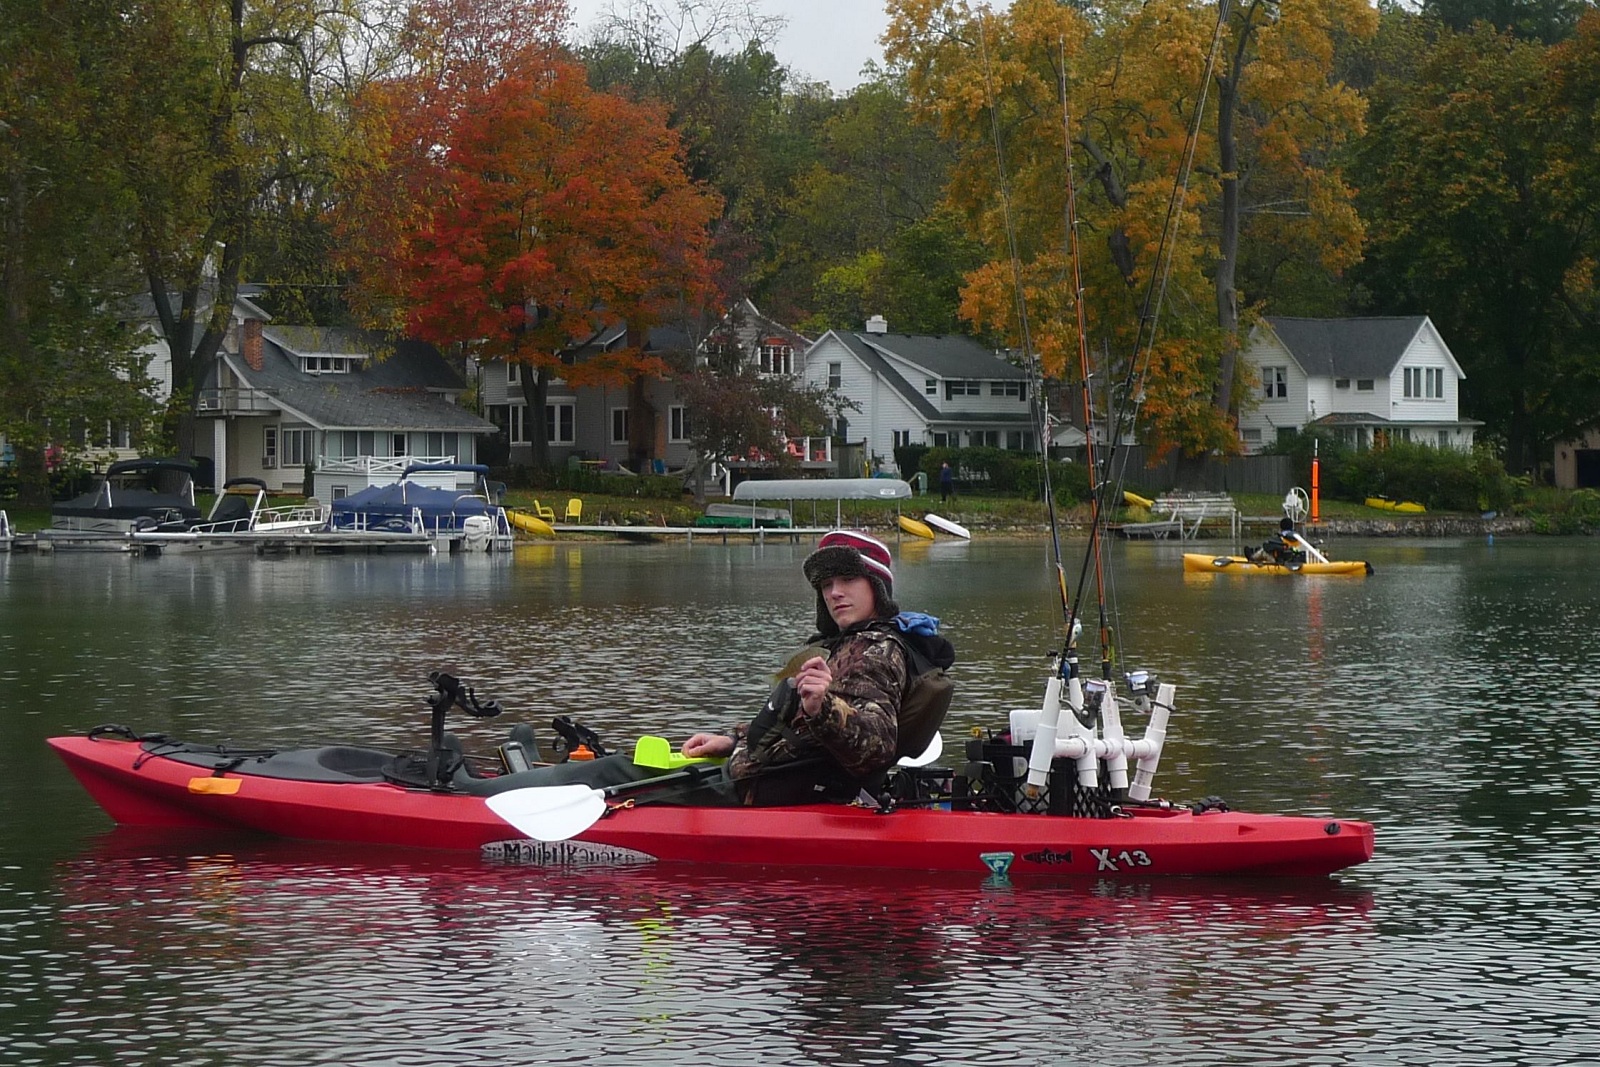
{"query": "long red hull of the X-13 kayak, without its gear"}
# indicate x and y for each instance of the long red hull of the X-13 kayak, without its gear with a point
(138, 788)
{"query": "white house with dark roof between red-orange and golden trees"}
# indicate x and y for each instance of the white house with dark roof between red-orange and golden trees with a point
(916, 390)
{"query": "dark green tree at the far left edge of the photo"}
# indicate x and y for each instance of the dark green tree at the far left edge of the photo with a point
(70, 367)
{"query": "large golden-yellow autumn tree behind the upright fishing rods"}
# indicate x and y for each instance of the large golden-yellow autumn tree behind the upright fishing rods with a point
(1265, 174)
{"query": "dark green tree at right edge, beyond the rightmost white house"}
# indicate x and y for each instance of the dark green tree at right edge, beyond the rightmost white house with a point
(1470, 188)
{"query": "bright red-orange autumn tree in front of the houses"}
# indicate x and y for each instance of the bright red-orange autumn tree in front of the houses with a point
(503, 206)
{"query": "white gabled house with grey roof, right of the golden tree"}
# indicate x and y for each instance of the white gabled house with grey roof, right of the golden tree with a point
(1369, 380)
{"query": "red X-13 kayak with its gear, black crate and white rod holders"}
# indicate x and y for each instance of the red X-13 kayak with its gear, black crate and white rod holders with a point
(983, 820)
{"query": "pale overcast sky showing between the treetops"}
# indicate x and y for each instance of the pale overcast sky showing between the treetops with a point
(826, 41)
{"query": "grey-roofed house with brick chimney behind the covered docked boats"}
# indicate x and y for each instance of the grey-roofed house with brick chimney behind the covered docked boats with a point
(351, 407)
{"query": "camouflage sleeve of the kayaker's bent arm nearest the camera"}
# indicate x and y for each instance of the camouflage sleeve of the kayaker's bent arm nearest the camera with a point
(858, 722)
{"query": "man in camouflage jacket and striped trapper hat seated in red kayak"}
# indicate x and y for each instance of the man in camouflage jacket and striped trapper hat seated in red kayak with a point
(868, 690)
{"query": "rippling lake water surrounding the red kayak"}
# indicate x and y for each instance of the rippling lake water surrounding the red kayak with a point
(1450, 700)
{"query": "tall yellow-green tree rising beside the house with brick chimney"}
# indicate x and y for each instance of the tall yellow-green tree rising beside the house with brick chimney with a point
(206, 105)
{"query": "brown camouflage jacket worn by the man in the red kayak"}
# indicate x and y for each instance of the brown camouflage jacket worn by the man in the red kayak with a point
(849, 743)
